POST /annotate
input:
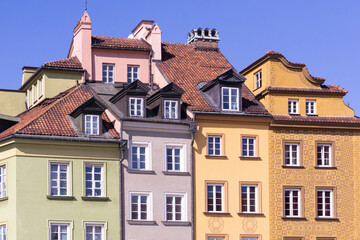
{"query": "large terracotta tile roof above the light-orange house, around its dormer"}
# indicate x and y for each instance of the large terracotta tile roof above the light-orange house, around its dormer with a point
(187, 66)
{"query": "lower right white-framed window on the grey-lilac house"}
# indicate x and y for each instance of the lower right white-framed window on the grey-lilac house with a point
(175, 207)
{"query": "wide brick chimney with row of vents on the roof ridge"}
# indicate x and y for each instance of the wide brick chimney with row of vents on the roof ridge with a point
(204, 38)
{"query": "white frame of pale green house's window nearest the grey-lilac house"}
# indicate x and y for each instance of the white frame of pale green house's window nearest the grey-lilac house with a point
(94, 181)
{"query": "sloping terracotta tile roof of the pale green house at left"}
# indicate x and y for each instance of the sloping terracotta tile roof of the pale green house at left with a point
(50, 116)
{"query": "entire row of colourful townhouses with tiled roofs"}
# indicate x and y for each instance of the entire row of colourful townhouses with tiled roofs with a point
(135, 138)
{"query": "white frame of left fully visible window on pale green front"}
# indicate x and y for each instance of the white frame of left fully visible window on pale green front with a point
(58, 180)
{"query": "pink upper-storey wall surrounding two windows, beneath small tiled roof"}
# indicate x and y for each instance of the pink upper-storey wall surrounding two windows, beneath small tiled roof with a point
(121, 59)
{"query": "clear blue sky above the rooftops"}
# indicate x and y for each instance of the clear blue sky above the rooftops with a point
(323, 34)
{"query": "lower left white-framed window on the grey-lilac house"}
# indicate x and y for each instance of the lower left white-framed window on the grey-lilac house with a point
(140, 206)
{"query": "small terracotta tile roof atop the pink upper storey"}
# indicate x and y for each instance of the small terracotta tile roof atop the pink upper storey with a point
(119, 43)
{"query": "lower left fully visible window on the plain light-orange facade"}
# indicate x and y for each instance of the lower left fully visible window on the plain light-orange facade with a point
(215, 197)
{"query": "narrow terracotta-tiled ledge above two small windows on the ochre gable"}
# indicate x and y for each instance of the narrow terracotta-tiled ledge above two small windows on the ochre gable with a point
(325, 89)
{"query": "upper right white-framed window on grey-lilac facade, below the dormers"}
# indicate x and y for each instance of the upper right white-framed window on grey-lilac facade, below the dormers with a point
(174, 158)
